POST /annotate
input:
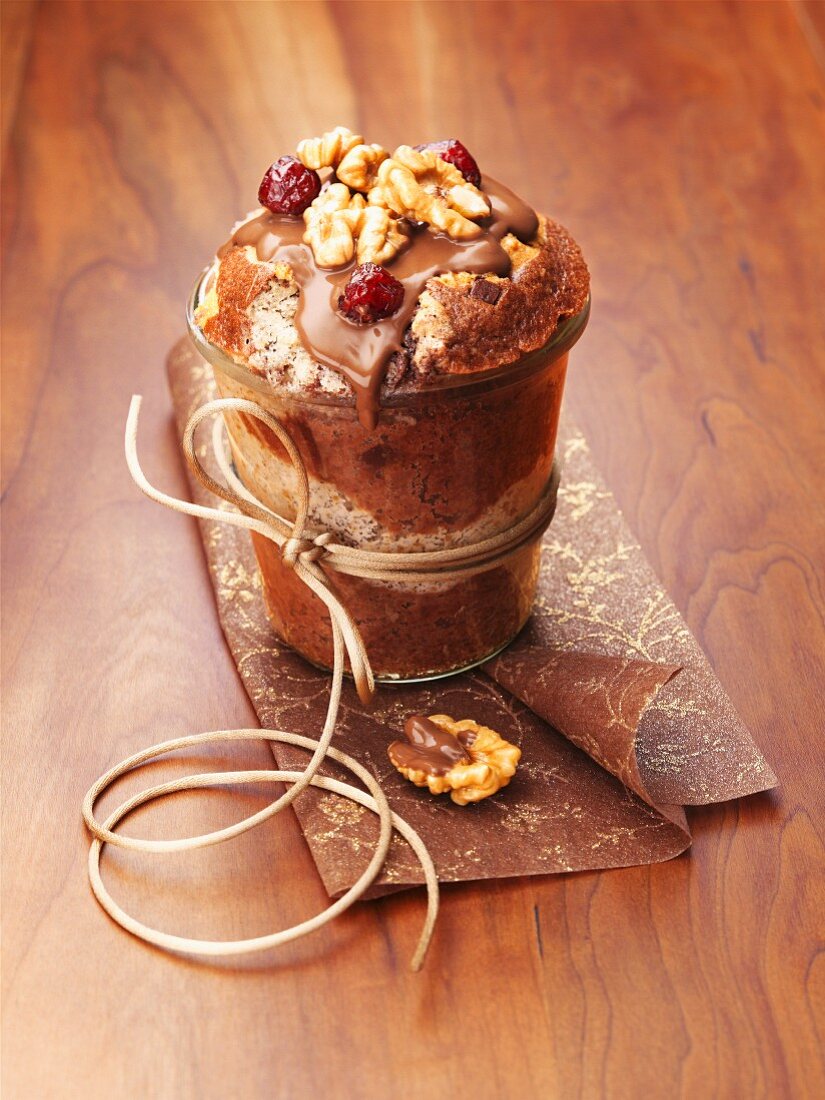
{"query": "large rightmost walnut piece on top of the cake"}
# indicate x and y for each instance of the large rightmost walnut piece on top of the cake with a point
(423, 188)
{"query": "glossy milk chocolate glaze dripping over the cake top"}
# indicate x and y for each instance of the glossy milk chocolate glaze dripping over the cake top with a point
(361, 353)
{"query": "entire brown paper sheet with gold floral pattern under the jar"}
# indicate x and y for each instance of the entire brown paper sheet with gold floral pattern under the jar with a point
(600, 663)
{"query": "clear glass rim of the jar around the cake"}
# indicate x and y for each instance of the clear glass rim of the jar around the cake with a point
(564, 338)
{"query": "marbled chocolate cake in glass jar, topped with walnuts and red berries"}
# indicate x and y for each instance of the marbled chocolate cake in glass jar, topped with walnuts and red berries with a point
(409, 323)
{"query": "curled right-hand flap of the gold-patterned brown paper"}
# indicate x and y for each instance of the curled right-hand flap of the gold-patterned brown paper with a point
(599, 598)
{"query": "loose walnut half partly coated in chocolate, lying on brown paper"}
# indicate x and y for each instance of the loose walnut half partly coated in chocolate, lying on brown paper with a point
(469, 761)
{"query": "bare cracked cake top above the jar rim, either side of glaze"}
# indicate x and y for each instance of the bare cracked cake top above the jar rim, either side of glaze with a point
(457, 328)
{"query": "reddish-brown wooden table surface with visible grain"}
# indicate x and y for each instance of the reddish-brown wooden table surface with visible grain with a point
(684, 145)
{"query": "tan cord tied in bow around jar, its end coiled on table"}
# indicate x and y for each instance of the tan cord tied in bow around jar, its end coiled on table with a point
(311, 555)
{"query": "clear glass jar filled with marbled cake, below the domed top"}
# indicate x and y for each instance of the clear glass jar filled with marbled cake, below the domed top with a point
(459, 461)
